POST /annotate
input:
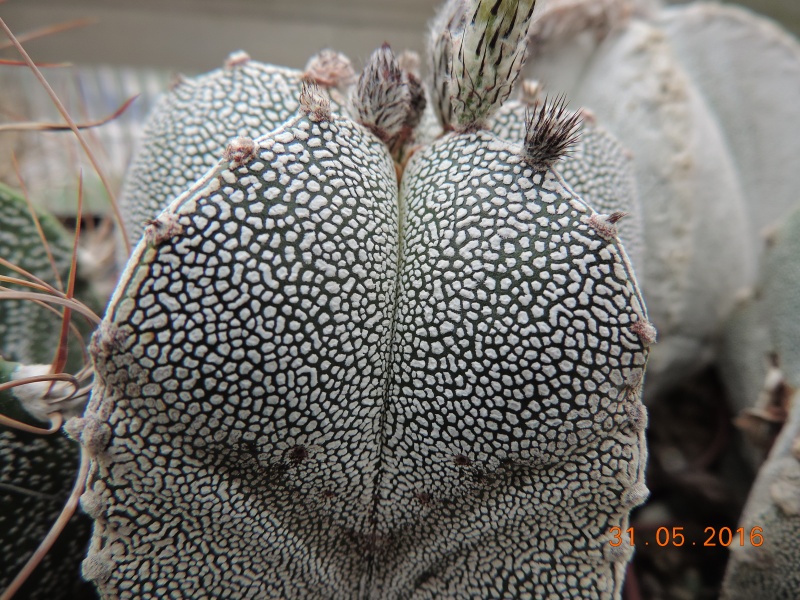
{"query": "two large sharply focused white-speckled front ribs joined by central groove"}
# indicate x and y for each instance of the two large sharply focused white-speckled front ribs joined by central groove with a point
(315, 382)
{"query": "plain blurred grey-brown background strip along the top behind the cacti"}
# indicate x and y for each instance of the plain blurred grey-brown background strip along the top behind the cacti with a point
(195, 35)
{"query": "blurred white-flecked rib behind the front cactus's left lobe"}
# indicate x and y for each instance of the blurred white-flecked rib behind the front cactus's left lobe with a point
(245, 98)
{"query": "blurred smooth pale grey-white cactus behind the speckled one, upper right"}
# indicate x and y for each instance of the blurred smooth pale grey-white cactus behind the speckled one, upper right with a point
(686, 89)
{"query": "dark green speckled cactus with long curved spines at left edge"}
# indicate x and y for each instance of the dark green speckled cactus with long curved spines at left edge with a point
(36, 472)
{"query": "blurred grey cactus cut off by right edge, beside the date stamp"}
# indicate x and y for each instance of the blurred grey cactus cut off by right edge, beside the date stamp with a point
(770, 569)
